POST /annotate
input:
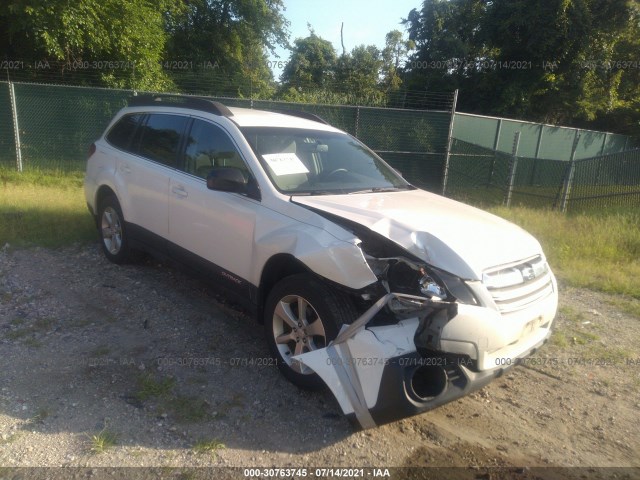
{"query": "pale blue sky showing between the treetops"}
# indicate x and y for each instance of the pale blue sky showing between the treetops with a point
(365, 22)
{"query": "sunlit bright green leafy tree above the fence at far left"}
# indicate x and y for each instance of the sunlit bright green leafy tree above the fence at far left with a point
(129, 32)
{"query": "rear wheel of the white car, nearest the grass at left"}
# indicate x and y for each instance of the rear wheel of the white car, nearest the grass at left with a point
(112, 231)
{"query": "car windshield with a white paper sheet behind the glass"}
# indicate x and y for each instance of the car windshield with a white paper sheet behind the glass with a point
(313, 162)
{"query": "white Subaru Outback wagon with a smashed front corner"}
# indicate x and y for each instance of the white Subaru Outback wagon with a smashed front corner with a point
(397, 299)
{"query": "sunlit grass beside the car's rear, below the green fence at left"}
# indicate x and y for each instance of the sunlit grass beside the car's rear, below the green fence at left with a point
(43, 208)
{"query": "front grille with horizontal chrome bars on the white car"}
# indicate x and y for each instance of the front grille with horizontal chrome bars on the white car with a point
(517, 286)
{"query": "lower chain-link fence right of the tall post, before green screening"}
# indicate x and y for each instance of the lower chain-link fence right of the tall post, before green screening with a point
(486, 177)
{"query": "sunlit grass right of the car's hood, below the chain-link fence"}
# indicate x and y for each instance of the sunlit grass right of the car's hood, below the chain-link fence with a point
(598, 250)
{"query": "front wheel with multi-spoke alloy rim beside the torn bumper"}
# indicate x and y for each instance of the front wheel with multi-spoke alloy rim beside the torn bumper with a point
(289, 334)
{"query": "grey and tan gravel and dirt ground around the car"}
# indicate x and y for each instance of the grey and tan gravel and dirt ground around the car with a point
(144, 366)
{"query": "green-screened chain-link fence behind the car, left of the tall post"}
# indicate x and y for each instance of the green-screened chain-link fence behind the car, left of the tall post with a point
(52, 127)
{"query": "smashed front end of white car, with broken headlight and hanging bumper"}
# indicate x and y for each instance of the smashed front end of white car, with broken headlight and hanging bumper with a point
(430, 338)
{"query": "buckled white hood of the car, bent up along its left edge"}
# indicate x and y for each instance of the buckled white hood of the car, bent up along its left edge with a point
(450, 235)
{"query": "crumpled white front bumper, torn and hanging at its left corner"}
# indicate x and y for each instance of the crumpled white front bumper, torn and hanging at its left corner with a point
(378, 375)
